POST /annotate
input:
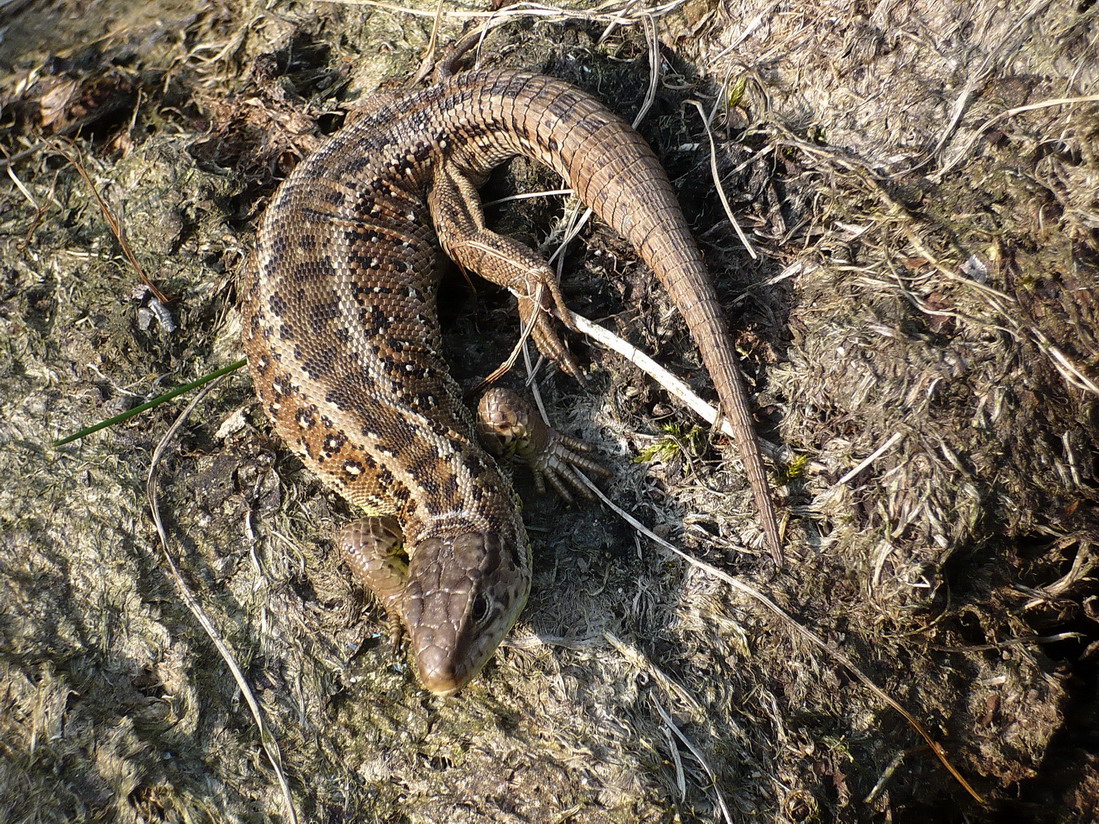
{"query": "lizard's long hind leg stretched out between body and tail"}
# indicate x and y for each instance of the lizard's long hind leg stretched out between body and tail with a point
(460, 224)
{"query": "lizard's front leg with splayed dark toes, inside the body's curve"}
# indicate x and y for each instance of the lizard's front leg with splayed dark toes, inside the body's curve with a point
(512, 428)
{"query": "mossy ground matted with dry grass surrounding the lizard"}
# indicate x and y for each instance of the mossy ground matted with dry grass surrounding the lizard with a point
(918, 327)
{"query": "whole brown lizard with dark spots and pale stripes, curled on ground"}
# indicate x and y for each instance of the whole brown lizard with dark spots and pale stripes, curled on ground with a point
(343, 342)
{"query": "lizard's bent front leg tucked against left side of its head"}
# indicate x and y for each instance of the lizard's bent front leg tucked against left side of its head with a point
(372, 548)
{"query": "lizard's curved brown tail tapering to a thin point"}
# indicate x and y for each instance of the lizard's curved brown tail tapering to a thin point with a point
(616, 173)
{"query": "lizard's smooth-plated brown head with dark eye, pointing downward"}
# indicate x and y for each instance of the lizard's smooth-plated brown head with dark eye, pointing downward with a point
(463, 596)
